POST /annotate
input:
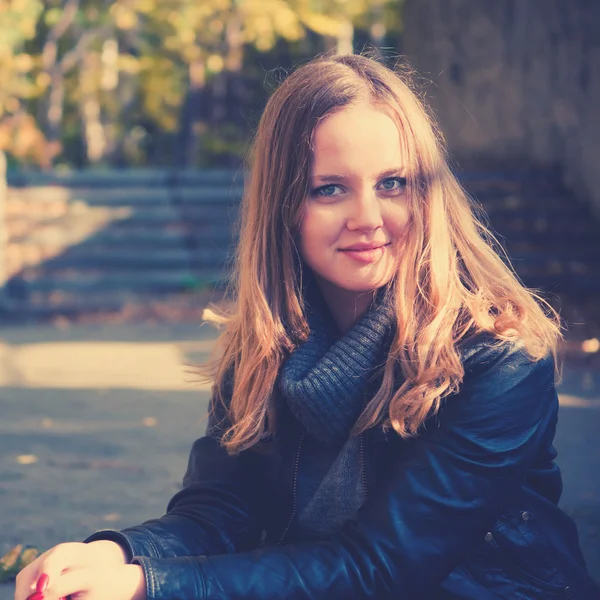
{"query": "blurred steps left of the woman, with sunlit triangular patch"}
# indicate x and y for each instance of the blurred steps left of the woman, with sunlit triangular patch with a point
(117, 239)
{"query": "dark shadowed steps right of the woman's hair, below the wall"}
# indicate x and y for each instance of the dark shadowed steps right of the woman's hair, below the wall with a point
(552, 239)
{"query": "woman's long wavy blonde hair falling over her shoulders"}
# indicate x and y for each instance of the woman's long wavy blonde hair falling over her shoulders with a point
(451, 282)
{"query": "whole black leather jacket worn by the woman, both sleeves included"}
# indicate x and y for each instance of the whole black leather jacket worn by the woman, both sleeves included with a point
(467, 509)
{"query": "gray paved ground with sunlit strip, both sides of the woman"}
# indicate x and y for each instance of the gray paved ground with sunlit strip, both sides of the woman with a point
(97, 422)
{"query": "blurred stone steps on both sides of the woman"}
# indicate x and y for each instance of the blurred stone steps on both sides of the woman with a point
(95, 242)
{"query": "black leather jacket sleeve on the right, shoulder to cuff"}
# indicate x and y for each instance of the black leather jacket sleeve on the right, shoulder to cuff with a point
(443, 490)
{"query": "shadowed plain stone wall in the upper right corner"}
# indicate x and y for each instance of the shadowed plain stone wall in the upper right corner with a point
(514, 81)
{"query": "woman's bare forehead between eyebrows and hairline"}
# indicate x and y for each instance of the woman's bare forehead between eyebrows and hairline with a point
(359, 139)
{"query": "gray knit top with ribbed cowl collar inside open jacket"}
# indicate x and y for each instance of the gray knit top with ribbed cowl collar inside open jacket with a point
(326, 383)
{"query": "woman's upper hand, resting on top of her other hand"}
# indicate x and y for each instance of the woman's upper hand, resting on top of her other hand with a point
(66, 558)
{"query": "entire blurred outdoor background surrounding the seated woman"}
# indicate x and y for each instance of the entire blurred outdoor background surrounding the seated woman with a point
(123, 127)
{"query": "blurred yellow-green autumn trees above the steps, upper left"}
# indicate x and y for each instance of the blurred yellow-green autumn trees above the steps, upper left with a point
(130, 81)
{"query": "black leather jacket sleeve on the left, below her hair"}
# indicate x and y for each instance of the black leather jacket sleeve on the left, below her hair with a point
(214, 513)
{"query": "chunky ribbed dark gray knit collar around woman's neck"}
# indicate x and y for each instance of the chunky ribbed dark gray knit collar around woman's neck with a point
(324, 381)
